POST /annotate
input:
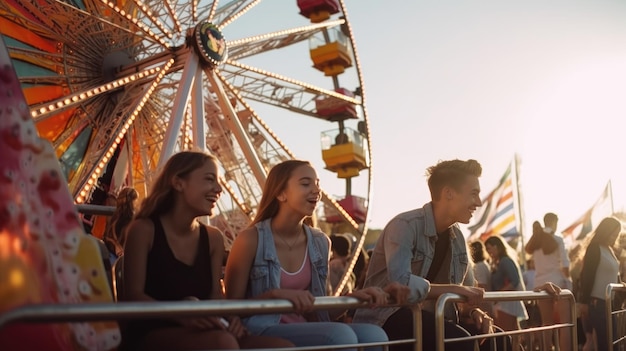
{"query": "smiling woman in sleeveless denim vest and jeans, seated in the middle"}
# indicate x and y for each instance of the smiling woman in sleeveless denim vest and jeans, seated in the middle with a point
(280, 257)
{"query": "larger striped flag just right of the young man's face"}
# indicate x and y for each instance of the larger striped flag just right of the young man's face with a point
(498, 213)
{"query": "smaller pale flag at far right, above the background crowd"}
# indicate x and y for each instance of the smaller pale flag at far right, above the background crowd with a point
(603, 207)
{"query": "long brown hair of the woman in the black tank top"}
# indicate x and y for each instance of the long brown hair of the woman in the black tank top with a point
(161, 198)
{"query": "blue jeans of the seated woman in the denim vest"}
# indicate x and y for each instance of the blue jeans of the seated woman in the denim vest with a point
(328, 333)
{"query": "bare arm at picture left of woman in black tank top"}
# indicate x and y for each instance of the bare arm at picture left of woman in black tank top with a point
(138, 245)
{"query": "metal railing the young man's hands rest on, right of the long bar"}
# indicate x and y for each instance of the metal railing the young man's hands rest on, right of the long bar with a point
(496, 296)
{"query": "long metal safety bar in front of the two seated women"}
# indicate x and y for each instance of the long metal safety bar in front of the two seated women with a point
(47, 313)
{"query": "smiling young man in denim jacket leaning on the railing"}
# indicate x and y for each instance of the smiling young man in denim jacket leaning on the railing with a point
(425, 250)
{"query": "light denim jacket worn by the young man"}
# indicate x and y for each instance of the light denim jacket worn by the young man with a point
(404, 253)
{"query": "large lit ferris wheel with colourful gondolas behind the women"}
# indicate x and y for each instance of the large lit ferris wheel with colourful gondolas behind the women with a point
(118, 86)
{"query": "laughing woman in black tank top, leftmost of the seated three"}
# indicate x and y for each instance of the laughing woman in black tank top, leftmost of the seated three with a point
(169, 255)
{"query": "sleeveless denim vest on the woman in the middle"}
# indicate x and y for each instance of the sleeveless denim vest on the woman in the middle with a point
(265, 272)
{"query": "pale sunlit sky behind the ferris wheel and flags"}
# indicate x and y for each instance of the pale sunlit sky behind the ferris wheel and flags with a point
(484, 80)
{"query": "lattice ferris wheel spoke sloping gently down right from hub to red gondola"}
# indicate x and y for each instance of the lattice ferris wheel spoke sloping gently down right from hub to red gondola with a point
(271, 88)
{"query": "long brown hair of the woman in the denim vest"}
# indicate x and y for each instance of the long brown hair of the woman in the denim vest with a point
(276, 182)
